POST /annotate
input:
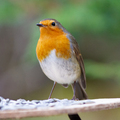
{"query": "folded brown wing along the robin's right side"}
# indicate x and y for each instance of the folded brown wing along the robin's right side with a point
(76, 52)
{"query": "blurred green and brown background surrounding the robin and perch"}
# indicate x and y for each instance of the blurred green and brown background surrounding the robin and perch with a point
(96, 26)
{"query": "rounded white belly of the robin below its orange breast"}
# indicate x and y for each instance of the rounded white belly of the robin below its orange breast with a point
(60, 70)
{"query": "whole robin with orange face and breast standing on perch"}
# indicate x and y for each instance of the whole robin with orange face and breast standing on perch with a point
(60, 58)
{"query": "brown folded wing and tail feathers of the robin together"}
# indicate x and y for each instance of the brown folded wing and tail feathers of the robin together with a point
(80, 85)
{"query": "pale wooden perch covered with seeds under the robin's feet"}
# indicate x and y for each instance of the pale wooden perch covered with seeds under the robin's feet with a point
(50, 107)
